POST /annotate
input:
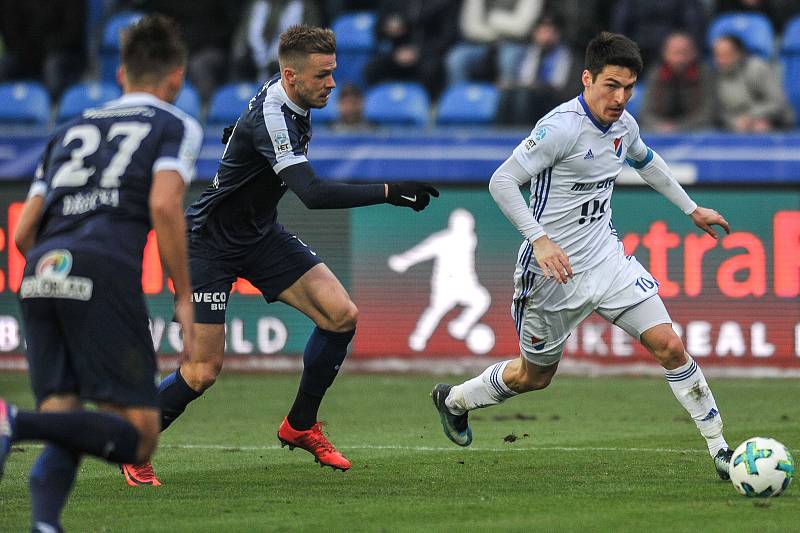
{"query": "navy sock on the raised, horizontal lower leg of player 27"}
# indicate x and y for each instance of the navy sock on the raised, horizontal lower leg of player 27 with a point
(103, 435)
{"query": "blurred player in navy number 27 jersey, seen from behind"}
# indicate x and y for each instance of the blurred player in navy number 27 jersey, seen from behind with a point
(105, 178)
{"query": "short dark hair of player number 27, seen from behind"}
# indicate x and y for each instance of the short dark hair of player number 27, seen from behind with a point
(152, 48)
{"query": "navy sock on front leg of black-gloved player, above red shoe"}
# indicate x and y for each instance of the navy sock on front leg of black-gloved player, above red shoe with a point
(324, 354)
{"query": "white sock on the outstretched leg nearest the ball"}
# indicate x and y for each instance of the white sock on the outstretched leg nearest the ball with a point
(690, 388)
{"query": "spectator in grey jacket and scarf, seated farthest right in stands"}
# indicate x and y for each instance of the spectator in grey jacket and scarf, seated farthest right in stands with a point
(748, 91)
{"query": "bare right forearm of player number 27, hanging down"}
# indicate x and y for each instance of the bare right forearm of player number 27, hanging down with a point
(166, 212)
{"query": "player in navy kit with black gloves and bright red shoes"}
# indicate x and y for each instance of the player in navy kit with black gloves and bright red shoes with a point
(234, 232)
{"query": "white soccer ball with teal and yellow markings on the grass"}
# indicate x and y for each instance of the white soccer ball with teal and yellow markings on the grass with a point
(761, 467)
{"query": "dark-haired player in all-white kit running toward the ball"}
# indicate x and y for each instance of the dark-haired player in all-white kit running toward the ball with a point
(571, 262)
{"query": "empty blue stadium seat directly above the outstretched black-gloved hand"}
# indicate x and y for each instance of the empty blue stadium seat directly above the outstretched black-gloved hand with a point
(397, 103)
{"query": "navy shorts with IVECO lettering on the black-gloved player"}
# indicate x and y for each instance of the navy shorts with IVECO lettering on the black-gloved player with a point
(272, 266)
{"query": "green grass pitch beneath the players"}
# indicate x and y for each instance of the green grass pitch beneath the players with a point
(603, 454)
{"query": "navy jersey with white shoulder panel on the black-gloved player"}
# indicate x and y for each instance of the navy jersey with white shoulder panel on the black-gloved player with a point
(239, 207)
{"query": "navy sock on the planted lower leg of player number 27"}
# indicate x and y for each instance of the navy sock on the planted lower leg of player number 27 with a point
(50, 483)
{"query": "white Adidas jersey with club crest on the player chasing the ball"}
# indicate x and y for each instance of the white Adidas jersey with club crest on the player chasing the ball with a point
(574, 161)
